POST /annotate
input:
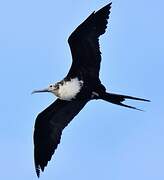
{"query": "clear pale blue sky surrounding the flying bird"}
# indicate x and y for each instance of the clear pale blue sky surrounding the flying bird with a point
(104, 141)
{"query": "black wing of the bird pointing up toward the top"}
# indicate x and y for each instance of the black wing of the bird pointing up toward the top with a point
(84, 43)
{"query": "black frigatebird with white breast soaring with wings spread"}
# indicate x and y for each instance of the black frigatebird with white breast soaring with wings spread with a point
(81, 84)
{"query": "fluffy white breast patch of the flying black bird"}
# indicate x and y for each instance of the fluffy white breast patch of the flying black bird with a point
(70, 89)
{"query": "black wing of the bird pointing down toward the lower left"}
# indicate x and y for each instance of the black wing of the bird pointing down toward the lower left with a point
(48, 129)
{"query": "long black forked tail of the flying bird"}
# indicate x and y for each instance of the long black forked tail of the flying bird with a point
(118, 99)
